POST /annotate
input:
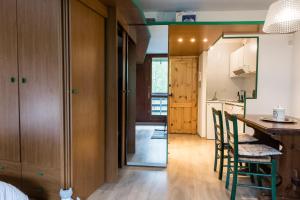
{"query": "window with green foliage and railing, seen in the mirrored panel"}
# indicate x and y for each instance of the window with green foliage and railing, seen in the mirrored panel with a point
(159, 93)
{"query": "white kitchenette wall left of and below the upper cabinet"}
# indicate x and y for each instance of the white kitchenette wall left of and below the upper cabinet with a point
(218, 72)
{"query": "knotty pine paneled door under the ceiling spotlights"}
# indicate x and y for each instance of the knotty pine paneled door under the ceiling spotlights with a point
(182, 107)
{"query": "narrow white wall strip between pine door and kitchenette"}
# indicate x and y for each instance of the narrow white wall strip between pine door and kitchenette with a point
(202, 94)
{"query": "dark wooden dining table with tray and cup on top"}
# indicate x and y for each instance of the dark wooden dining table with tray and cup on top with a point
(286, 138)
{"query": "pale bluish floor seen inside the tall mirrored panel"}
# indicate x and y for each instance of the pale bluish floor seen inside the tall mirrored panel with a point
(148, 151)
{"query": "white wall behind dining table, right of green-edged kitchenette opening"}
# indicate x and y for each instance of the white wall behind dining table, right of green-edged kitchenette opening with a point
(274, 74)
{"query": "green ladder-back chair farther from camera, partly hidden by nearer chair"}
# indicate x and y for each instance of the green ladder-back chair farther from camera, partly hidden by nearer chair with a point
(220, 145)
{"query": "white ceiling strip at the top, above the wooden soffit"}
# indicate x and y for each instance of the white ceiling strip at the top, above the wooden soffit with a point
(204, 5)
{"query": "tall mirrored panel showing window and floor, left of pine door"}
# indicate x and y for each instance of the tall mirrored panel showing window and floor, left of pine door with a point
(151, 138)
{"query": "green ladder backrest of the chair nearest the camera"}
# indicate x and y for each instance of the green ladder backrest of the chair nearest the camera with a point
(232, 133)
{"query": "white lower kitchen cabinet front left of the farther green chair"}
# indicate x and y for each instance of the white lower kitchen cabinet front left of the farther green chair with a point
(210, 131)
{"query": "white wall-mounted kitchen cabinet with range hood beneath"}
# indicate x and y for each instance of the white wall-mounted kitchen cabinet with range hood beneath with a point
(243, 61)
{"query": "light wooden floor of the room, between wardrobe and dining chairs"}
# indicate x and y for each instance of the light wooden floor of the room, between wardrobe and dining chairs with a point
(189, 176)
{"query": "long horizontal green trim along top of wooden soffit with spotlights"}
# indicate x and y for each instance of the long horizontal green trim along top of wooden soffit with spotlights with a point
(206, 23)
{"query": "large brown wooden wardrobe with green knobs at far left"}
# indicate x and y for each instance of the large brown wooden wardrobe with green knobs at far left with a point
(52, 55)
